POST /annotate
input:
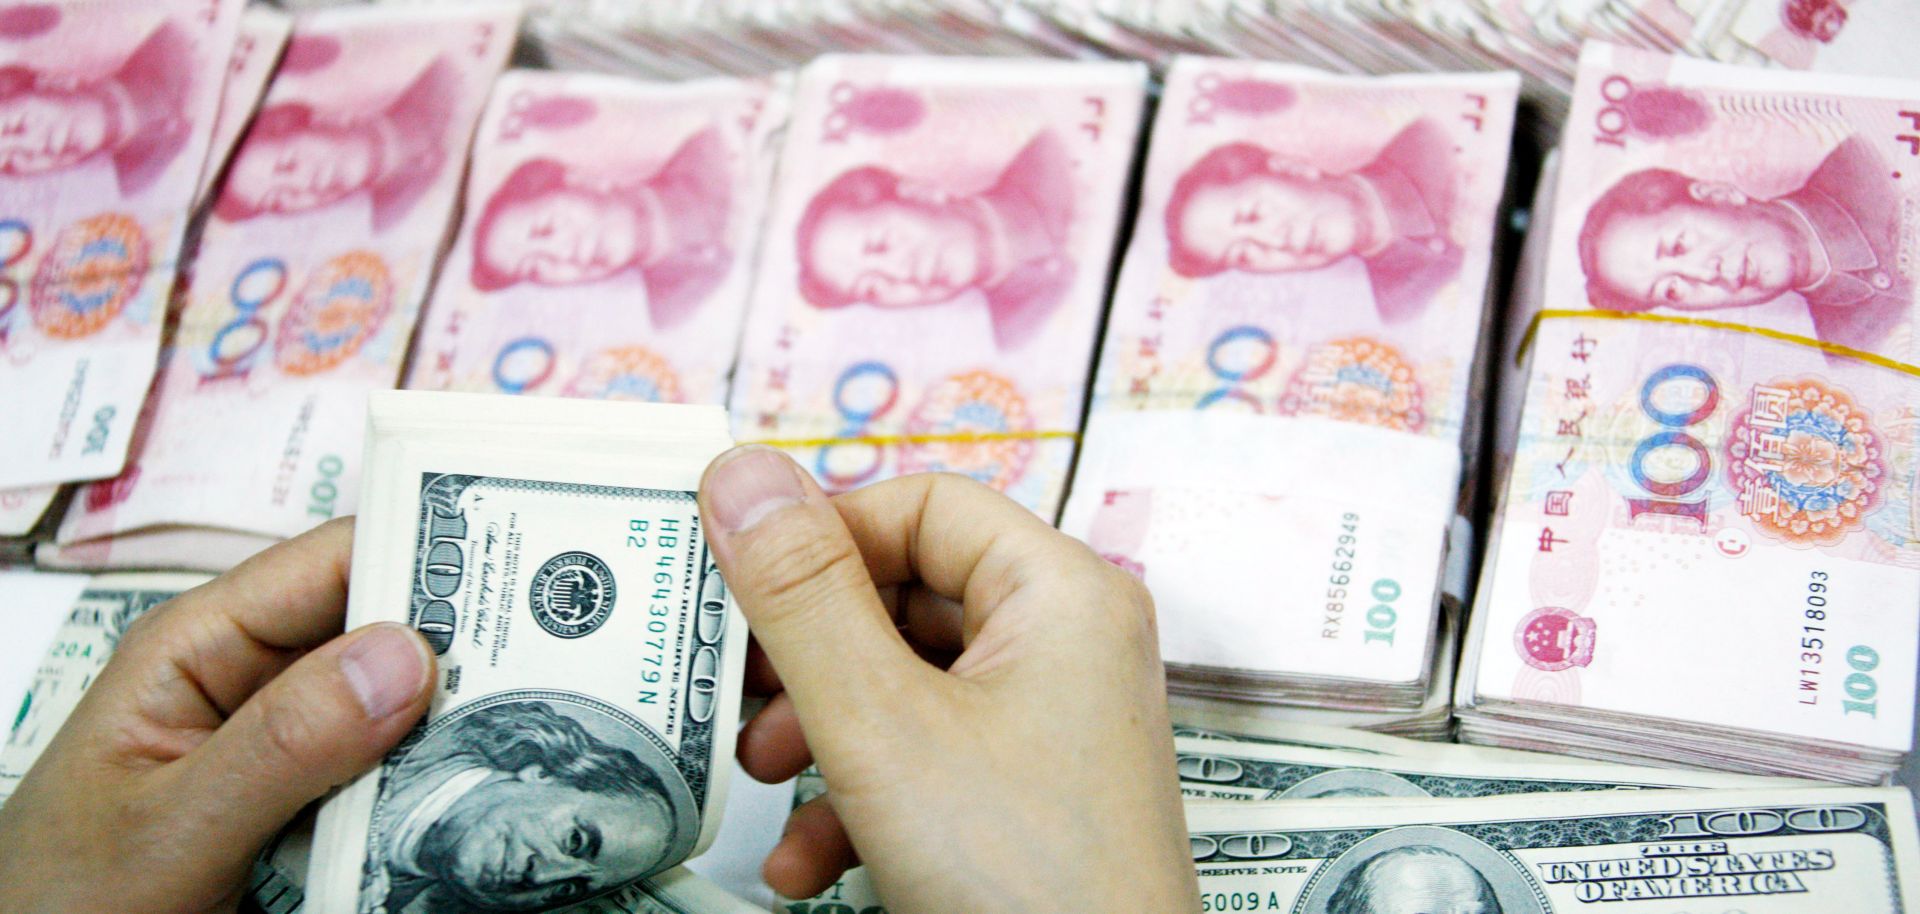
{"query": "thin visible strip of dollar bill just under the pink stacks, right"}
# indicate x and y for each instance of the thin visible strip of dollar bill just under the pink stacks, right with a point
(1214, 769)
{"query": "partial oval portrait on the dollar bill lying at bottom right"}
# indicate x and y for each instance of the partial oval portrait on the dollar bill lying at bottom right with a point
(1424, 871)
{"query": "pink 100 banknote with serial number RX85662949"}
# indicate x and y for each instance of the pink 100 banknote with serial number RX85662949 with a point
(1305, 295)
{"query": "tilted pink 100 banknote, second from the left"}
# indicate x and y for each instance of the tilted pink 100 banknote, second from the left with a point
(316, 260)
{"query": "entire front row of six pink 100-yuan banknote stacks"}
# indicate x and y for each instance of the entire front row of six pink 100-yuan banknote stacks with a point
(896, 264)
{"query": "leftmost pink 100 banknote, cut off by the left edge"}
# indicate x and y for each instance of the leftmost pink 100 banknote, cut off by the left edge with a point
(107, 108)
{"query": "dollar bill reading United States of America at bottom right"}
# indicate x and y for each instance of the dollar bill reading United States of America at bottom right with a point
(1767, 852)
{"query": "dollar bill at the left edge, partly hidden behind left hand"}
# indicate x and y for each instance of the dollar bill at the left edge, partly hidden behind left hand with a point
(82, 648)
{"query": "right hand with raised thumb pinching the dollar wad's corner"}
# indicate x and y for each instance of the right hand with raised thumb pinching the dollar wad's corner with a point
(1036, 773)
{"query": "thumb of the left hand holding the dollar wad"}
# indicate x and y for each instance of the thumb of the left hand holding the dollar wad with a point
(318, 725)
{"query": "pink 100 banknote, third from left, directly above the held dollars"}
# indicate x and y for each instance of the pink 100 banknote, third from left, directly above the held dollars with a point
(610, 239)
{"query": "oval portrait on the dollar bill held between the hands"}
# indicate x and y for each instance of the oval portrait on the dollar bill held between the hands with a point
(525, 806)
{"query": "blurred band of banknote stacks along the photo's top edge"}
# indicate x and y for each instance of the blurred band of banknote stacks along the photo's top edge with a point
(1539, 39)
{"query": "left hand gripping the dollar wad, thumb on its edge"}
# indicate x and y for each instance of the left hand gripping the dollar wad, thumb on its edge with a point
(222, 715)
